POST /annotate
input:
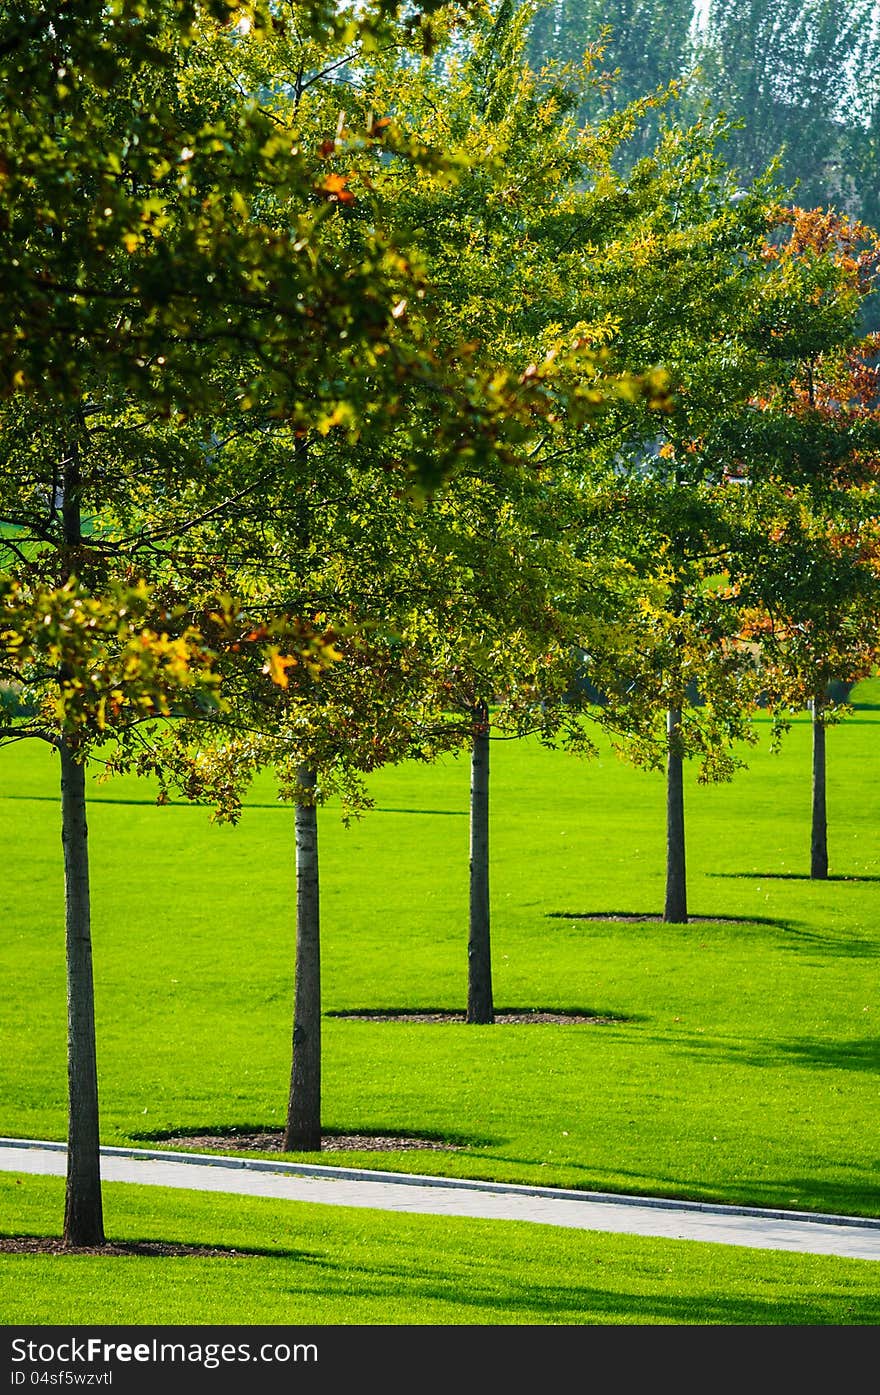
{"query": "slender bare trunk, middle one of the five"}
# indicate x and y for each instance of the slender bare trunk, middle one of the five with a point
(480, 1008)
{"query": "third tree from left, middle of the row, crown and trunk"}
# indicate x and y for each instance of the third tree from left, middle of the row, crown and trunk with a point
(507, 252)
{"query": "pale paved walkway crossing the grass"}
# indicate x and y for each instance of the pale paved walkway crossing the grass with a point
(807, 1232)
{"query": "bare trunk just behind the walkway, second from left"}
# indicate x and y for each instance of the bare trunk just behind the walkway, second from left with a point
(303, 1132)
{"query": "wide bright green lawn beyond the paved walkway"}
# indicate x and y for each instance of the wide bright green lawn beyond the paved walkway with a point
(745, 1061)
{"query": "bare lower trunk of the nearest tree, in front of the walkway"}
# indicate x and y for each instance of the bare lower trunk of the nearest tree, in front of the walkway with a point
(83, 1203)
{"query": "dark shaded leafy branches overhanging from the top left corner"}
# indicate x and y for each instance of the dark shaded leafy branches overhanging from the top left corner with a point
(214, 245)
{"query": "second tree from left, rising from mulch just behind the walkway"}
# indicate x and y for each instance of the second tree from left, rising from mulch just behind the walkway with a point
(345, 538)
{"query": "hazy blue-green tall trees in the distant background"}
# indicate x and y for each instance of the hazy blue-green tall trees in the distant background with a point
(798, 79)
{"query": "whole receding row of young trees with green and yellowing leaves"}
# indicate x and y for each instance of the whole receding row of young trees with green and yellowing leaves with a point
(361, 404)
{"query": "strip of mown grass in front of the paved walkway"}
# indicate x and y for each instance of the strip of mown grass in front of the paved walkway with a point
(298, 1265)
